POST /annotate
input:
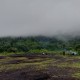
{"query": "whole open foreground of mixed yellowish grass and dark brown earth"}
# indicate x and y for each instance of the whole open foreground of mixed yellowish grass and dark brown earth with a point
(39, 67)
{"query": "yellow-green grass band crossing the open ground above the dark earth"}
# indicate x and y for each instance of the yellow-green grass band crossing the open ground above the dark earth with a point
(39, 63)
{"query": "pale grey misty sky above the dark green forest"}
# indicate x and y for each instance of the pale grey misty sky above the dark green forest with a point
(39, 17)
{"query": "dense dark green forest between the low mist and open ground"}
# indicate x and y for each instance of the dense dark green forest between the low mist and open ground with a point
(35, 44)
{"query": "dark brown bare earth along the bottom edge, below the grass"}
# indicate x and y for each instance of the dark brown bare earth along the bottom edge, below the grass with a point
(51, 73)
